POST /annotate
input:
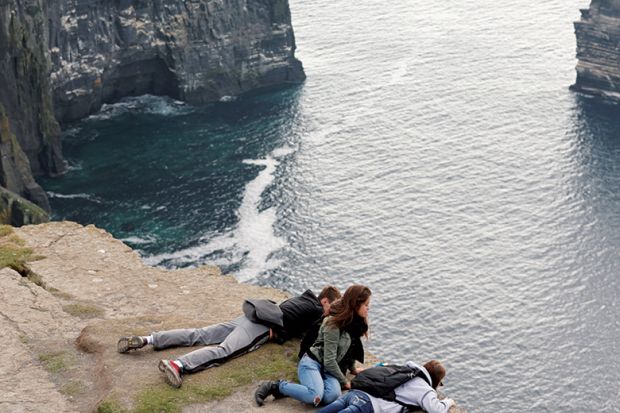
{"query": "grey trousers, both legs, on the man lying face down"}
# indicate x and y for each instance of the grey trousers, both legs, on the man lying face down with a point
(224, 341)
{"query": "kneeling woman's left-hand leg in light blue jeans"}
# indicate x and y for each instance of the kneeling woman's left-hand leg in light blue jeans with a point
(310, 387)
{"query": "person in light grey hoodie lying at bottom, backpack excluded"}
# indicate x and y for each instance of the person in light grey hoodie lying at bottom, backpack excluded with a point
(415, 392)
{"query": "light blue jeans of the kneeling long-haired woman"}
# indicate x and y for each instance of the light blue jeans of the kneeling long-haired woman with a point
(314, 386)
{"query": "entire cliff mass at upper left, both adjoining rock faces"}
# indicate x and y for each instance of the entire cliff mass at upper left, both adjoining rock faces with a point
(60, 60)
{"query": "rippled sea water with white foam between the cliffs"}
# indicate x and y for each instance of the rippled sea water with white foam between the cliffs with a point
(435, 154)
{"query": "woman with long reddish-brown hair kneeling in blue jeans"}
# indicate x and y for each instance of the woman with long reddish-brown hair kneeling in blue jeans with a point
(322, 369)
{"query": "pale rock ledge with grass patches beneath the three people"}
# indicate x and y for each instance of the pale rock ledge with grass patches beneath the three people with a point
(81, 289)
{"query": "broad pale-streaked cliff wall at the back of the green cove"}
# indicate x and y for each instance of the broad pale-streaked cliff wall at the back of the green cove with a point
(196, 51)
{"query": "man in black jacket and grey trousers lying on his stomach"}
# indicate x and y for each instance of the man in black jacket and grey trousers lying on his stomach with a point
(233, 338)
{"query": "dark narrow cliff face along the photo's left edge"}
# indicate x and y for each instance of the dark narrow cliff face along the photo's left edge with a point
(29, 133)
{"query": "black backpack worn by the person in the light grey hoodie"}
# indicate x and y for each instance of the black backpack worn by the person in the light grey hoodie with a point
(380, 381)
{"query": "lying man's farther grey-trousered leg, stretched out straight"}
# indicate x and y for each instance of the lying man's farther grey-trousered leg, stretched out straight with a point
(188, 337)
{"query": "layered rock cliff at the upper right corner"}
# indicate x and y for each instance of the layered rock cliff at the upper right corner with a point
(598, 36)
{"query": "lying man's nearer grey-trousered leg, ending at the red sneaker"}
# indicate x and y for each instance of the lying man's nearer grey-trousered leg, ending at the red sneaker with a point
(245, 337)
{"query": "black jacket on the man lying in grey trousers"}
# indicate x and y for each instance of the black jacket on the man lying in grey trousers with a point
(298, 315)
